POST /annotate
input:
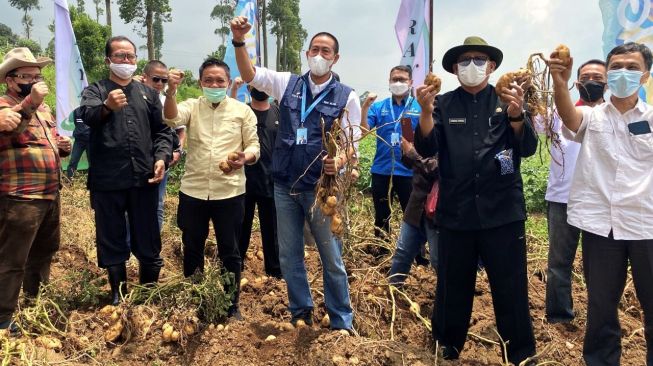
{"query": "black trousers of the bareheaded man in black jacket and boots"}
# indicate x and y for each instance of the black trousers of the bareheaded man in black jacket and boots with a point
(140, 204)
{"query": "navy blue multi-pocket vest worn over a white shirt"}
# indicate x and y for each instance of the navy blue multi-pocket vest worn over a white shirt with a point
(300, 166)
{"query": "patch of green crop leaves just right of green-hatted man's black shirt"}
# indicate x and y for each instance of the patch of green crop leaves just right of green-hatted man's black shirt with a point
(535, 173)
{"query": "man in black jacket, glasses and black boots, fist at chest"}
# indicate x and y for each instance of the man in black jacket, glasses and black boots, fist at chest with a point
(130, 148)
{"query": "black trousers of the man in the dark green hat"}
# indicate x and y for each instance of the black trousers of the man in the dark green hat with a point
(503, 251)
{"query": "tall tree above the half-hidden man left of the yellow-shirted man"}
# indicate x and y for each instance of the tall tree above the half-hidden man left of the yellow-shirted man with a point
(142, 12)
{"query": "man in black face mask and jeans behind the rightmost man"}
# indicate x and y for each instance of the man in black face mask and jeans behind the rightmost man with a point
(563, 238)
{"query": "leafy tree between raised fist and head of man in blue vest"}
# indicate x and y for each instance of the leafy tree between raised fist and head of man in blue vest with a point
(287, 27)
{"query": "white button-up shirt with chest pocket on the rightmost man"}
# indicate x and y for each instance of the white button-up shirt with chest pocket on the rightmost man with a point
(612, 188)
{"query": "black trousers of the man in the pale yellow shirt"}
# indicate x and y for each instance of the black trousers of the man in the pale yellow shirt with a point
(193, 217)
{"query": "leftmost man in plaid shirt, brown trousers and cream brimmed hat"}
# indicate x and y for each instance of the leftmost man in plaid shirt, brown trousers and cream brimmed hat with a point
(30, 151)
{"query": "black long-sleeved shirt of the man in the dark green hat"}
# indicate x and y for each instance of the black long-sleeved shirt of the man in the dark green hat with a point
(474, 139)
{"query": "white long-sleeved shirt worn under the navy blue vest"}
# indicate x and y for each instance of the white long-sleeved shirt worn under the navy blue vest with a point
(274, 83)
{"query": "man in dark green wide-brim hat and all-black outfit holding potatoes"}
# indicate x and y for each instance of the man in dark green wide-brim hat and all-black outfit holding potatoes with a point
(481, 210)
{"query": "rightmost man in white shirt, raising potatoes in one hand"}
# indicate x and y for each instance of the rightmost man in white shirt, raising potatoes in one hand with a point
(611, 198)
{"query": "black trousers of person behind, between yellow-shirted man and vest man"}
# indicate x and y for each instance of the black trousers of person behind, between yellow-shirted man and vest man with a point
(267, 217)
